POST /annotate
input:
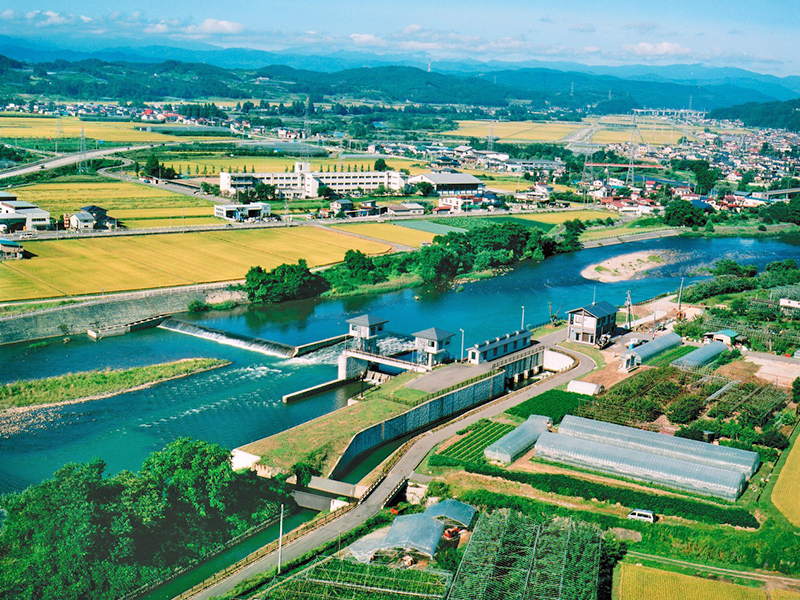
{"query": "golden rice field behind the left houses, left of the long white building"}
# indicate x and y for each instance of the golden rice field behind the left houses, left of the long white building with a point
(59, 198)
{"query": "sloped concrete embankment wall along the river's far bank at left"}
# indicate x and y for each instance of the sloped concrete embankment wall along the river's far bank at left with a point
(74, 320)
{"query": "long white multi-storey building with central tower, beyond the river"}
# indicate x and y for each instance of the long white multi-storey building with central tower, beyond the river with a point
(305, 183)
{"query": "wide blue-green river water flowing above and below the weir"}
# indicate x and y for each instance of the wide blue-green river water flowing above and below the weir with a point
(242, 402)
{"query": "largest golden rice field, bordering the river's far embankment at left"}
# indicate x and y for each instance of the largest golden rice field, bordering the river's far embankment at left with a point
(87, 266)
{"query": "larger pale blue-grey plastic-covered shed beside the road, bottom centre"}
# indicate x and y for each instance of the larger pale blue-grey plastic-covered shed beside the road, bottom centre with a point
(418, 532)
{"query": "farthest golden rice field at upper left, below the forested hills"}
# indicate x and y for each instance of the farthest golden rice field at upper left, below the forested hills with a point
(70, 127)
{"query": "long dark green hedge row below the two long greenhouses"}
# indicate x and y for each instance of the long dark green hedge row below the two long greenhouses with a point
(571, 486)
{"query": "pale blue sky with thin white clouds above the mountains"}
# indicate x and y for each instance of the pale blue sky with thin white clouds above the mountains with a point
(757, 35)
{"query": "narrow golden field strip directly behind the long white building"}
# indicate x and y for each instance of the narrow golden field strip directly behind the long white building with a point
(211, 164)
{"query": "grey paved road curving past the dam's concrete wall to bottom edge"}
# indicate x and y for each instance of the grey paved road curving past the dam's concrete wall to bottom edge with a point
(401, 471)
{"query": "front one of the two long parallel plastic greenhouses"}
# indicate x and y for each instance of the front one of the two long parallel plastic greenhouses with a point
(642, 466)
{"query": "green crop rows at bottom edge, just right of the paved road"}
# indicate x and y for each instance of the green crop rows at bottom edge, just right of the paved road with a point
(355, 581)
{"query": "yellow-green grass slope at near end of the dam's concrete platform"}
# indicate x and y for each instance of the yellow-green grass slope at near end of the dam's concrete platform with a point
(321, 442)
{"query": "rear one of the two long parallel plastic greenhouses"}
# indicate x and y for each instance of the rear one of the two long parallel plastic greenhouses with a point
(722, 457)
